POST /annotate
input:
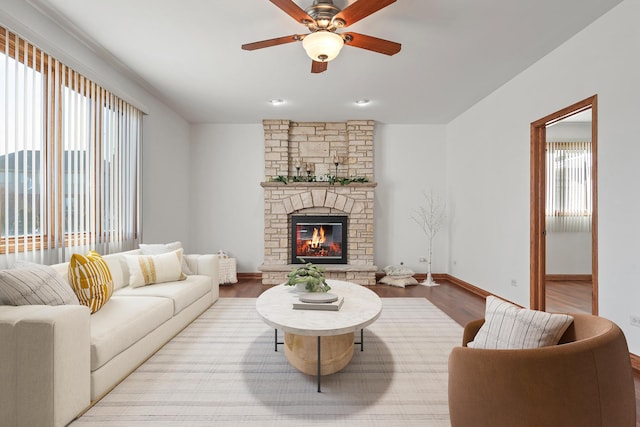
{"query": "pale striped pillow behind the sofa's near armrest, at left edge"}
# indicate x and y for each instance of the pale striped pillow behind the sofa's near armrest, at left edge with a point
(30, 283)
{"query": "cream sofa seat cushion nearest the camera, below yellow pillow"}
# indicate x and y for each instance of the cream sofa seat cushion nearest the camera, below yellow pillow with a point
(122, 322)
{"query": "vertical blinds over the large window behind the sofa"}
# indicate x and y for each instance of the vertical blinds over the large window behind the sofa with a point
(69, 159)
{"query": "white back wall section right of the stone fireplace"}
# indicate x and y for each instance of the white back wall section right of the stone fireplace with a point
(409, 160)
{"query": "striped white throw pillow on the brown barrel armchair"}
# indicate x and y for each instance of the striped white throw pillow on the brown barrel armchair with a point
(508, 326)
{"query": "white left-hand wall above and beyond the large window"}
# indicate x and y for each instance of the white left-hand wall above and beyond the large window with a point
(165, 134)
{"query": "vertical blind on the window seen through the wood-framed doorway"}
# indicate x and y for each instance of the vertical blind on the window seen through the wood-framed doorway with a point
(569, 187)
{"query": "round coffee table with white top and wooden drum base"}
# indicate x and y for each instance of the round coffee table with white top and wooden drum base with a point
(319, 342)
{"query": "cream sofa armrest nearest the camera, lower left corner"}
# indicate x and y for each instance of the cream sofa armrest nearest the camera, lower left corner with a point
(44, 364)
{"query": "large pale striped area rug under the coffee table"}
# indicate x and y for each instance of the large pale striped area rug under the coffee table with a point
(222, 370)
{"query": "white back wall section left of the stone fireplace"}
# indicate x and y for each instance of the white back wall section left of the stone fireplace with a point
(227, 210)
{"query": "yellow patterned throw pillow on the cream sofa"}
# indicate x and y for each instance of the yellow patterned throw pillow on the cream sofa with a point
(91, 279)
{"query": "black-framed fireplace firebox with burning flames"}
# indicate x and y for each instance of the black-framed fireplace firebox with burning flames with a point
(321, 239)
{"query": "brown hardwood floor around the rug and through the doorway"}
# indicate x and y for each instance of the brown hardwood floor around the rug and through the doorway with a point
(458, 303)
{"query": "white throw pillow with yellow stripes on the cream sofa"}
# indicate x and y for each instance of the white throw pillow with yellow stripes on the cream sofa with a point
(149, 269)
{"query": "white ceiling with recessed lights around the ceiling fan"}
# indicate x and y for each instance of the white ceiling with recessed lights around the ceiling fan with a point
(454, 53)
